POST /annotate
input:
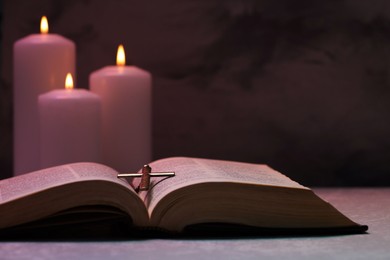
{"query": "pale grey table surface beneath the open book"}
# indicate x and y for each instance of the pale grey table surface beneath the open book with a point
(370, 206)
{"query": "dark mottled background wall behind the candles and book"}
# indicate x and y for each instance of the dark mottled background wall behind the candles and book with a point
(300, 85)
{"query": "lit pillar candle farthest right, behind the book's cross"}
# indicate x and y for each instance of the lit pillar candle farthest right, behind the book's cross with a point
(126, 114)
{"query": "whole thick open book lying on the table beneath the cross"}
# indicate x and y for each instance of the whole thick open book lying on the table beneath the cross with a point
(204, 195)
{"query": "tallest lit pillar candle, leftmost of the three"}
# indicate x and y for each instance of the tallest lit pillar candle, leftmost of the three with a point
(41, 62)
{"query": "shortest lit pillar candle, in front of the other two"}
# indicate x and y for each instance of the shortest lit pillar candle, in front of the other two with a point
(69, 126)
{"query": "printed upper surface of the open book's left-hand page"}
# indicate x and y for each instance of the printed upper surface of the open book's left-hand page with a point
(26, 184)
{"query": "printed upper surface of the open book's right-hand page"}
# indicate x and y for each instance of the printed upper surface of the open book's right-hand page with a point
(195, 170)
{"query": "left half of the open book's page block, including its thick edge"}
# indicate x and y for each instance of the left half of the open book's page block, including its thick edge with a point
(41, 194)
